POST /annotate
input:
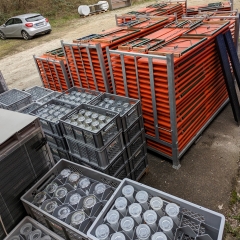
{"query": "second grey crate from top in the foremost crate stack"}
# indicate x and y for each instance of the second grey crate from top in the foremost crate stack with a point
(100, 157)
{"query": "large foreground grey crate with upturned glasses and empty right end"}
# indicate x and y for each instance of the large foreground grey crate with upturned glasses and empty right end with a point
(137, 211)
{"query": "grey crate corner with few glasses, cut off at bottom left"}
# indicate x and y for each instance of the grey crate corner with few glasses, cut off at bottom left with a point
(29, 228)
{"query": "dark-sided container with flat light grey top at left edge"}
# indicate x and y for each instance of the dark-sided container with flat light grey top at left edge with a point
(24, 159)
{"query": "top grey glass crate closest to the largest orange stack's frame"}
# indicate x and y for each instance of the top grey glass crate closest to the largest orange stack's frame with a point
(128, 117)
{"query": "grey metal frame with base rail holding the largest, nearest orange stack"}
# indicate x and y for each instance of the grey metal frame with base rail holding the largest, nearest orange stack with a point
(176, 155)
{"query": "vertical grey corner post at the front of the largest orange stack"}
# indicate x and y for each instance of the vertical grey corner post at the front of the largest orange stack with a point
(173, 113)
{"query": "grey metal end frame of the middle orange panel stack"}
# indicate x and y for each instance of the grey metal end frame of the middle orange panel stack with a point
(87, 47)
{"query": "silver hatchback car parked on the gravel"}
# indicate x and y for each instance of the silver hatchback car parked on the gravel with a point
(25, 26)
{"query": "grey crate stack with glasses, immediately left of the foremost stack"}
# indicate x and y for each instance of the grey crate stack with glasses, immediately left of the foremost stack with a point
(49, 115)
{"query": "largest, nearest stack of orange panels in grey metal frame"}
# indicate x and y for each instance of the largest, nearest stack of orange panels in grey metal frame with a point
(179, 82)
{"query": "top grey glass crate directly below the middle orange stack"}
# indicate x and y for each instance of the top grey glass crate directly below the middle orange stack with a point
(75, 95)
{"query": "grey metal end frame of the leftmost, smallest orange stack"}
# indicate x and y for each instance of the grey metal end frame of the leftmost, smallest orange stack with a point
(63, 69)
